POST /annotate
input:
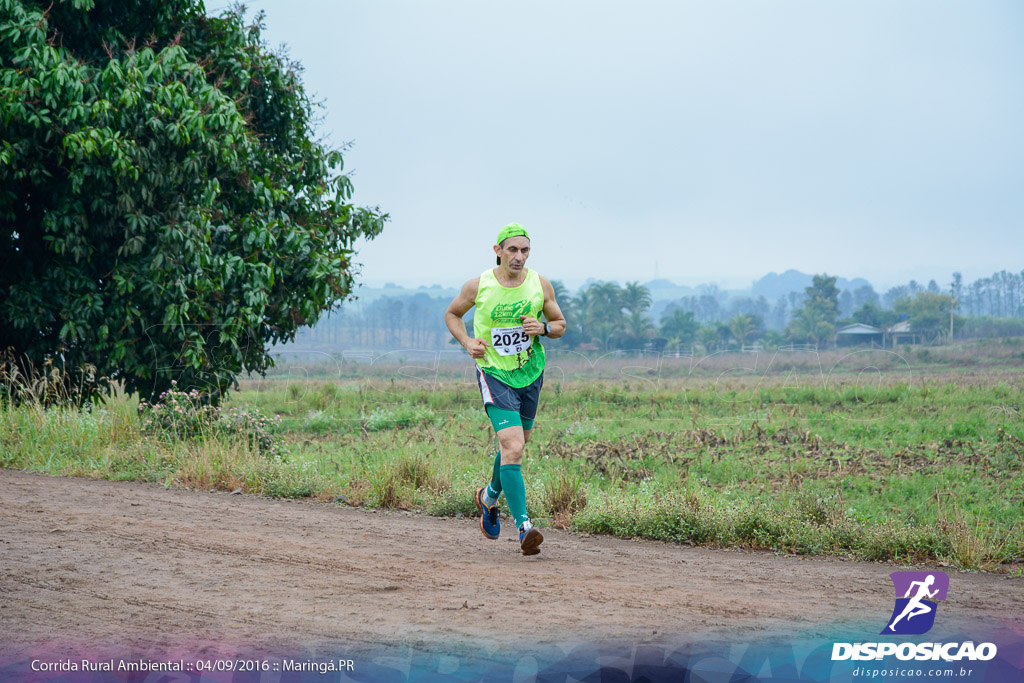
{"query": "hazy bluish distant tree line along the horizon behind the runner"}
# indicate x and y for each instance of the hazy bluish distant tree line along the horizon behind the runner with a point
(608, 317)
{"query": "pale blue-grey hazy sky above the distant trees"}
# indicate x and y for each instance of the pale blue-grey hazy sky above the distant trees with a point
(708, 142)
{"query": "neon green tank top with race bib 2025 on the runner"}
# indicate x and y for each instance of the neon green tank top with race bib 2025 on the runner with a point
(514, 357)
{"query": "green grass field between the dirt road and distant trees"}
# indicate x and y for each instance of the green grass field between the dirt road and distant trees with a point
(872, 456)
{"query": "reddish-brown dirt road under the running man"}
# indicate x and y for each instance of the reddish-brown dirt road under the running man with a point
(140, 568)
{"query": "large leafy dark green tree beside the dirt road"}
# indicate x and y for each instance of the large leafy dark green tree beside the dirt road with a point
(166, 211)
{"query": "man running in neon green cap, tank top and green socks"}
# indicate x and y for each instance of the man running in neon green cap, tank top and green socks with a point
(506, 345)
